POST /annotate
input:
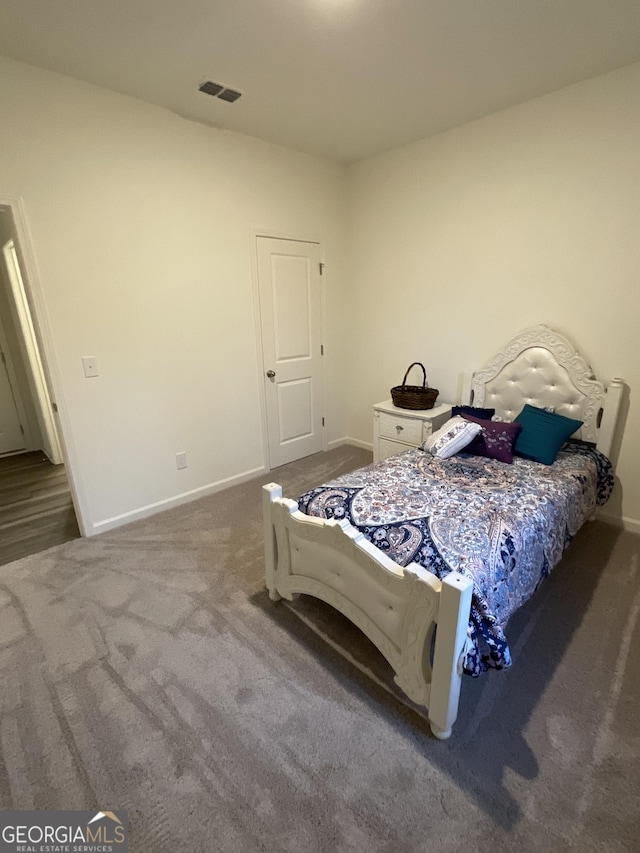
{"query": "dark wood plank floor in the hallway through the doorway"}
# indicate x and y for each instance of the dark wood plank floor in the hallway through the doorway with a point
(36, 511)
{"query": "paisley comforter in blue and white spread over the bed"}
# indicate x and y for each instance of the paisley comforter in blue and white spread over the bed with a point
(504, 526)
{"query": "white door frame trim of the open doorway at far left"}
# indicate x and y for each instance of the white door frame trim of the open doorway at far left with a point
(44, 340)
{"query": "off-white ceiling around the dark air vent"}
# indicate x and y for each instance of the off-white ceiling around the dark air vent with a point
(343, 79)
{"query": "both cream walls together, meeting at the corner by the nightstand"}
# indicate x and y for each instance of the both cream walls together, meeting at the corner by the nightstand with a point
(141, 227)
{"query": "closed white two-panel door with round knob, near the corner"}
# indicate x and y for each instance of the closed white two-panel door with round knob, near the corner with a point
(290, 311)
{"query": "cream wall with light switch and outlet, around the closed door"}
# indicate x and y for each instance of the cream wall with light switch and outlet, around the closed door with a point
(141, 226)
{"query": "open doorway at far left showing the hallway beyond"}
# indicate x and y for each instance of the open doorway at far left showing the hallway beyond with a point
(36, 502)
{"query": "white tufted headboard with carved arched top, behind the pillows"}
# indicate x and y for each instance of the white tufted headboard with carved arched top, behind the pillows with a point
(541, 367)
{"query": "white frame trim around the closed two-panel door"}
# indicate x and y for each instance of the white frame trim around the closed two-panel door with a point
(261, 367)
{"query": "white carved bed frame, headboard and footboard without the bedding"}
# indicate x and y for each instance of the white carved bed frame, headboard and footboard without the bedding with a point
(399, 608)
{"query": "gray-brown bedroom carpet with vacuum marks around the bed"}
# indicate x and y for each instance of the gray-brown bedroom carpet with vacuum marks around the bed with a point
(147, 670)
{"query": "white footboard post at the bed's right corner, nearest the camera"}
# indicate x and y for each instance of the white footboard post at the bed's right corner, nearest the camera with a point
(451, 635)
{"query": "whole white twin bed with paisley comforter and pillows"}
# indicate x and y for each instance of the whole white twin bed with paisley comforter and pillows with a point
(431, 551)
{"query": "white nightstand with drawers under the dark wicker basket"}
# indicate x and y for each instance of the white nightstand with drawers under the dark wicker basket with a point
(396, 430)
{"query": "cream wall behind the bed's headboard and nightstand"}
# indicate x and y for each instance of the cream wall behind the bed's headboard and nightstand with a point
(531, 215)
